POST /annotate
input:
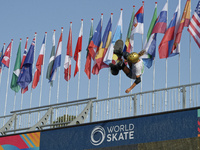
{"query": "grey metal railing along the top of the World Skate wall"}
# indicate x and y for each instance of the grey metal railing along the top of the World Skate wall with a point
(161, 100)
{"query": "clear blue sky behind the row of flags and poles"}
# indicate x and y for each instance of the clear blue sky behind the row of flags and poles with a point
(21, 19)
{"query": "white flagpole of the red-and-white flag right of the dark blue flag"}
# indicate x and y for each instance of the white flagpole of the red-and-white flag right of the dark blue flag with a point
(42, 75)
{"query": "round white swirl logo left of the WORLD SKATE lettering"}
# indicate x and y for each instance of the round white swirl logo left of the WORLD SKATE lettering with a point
(98, 135)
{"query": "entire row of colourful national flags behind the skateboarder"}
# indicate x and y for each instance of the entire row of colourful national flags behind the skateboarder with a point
(100, 50)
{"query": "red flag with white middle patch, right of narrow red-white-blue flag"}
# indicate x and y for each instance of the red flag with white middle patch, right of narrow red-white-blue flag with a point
(68, 57)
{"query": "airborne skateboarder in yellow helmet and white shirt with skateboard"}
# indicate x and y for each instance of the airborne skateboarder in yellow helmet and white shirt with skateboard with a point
(136, 66)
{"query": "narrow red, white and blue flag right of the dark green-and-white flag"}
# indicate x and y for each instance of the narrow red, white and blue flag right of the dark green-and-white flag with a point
(57, 60)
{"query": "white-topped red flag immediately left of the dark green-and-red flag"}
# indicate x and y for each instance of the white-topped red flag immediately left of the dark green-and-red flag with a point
(77, 53)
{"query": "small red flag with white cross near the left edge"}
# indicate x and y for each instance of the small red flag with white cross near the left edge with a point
(6, 56)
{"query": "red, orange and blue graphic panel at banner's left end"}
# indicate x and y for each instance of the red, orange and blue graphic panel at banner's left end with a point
(30, 141)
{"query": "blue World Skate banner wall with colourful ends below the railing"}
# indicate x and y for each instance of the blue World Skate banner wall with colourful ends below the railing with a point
(170, 130)
